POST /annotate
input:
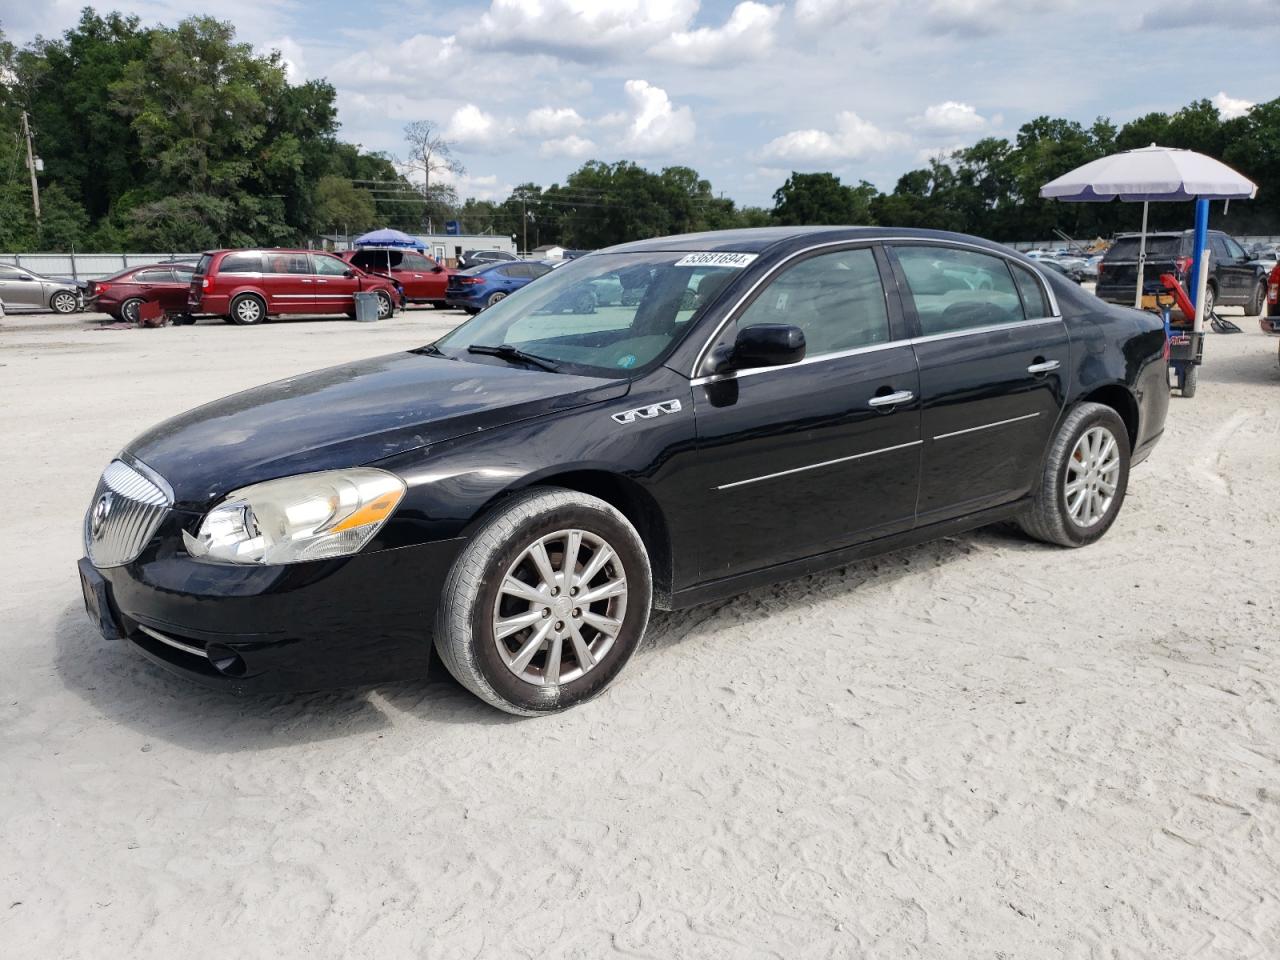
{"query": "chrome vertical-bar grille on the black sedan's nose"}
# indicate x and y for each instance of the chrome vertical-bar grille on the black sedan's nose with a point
(127, 509)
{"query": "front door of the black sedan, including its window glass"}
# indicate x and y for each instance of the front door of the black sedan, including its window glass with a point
(811, 458)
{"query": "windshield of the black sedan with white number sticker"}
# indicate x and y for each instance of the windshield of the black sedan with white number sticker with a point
(602, 316)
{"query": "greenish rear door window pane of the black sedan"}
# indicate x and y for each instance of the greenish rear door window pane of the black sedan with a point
(959, 290)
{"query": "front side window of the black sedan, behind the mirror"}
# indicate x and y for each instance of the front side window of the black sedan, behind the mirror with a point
(836, 299)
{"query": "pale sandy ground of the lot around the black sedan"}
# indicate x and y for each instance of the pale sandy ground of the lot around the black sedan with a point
(981, 748)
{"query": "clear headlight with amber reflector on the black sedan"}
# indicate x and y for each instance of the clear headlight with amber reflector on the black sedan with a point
(299, 519)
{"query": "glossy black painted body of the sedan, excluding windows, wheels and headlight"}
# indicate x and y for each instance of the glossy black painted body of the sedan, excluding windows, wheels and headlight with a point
(732, 481)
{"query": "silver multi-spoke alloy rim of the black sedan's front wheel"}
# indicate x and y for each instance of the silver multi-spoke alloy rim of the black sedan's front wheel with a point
(560, 607)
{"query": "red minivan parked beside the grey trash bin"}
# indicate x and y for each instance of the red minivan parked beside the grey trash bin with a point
(249, 286)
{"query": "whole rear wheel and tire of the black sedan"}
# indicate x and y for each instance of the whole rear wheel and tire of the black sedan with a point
(1050, 518)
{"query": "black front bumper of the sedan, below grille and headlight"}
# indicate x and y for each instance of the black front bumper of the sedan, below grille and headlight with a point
(308, 627)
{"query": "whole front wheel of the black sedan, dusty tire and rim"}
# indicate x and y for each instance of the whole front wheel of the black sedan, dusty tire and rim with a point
(476, 598)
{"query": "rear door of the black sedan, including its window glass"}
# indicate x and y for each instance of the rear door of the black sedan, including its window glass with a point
(994, 360)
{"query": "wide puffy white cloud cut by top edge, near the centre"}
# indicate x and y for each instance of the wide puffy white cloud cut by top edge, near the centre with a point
(578, 30)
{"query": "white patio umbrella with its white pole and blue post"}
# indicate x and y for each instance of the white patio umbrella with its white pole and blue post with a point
(1154, 173)
